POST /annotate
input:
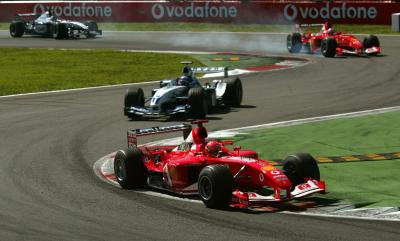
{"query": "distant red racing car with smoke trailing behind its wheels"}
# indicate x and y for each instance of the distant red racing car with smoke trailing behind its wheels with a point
(331, 43)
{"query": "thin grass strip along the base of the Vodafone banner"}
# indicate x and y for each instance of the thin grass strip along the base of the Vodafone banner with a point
(218, 27)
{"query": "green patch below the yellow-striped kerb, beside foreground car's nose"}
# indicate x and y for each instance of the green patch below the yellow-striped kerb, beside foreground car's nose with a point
(366, 183)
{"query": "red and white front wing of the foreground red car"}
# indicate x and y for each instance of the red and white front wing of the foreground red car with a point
(248, 199)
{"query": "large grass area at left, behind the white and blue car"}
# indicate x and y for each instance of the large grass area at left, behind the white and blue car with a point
(32, 70)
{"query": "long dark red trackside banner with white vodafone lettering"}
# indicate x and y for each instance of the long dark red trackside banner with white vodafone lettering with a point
(224, 12)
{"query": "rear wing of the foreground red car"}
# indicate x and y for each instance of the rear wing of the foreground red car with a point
(133, 134)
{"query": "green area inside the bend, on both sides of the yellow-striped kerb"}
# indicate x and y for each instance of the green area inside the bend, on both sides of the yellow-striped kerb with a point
(375, 182)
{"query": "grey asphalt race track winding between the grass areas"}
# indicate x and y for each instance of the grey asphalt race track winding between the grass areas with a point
(49, 143)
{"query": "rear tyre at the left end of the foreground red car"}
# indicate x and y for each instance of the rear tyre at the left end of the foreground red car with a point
(129, 168)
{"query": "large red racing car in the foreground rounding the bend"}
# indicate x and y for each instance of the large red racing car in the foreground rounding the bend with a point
(220, 176)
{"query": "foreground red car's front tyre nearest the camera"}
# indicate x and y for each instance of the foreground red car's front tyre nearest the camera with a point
(215, 186)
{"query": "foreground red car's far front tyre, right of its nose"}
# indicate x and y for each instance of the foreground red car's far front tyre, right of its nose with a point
(298, 167)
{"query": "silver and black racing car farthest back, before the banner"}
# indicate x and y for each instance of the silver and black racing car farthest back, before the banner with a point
(49, 25)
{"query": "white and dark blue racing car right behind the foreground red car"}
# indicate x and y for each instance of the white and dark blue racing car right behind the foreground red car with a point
(185, 95)
